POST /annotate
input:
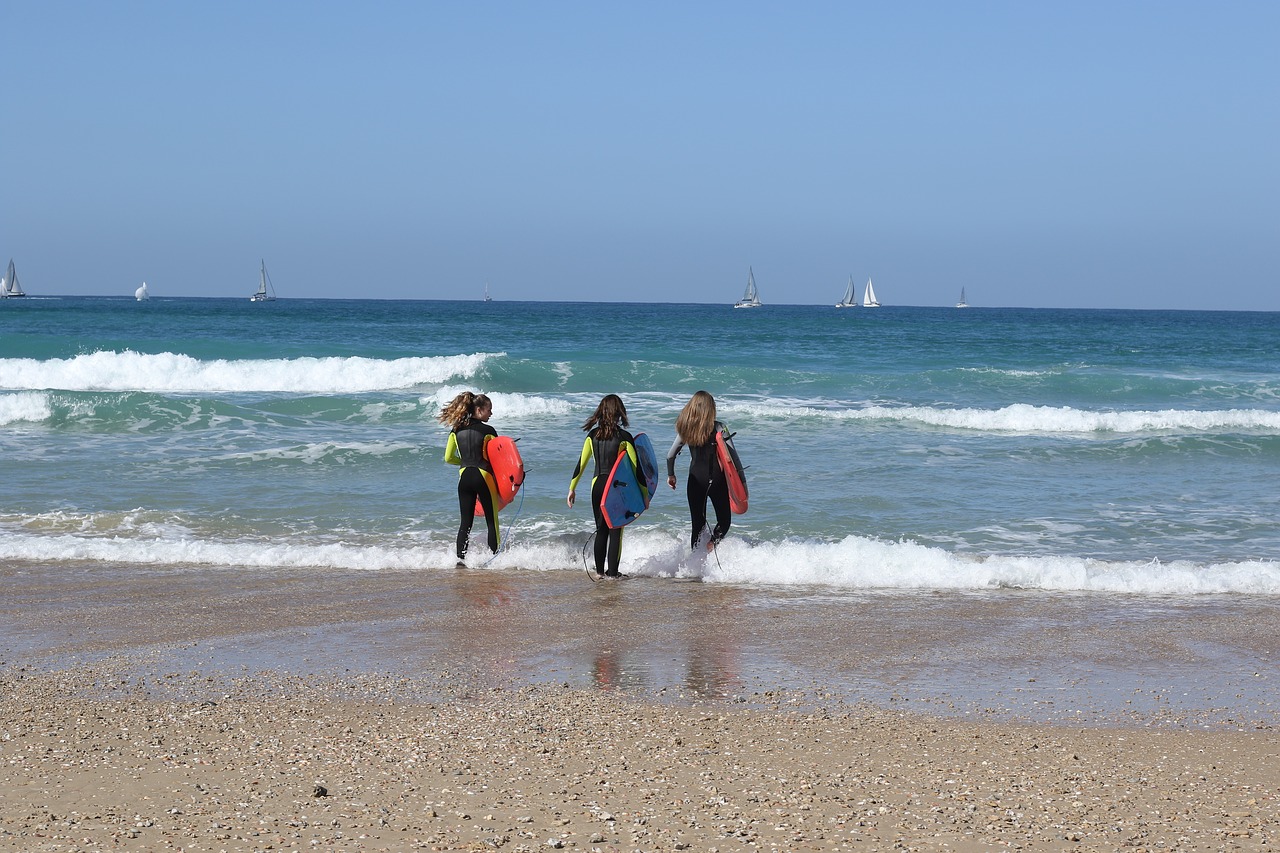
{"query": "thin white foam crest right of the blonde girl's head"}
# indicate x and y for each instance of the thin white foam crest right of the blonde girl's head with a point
(1023, 418)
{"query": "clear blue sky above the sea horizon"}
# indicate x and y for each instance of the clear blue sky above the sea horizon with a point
(1108, 154)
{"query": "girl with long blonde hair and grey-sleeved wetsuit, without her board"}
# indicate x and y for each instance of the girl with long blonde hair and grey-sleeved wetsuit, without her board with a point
(697, 427)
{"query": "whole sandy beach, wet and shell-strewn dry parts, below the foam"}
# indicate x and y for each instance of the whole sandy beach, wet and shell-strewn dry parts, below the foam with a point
(226, 710)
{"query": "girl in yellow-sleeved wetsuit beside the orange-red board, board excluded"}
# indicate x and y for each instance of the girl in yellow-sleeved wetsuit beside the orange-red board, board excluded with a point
(469, 437)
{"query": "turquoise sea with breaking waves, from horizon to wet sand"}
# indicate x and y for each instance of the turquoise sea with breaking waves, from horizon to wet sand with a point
(897, 448)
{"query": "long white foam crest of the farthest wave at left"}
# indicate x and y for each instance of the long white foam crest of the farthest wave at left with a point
(168, 372)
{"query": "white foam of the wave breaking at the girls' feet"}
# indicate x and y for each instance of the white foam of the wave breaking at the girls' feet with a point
(851, 564)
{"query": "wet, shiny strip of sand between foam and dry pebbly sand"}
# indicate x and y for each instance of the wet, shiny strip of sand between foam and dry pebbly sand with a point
(1008, 656)
